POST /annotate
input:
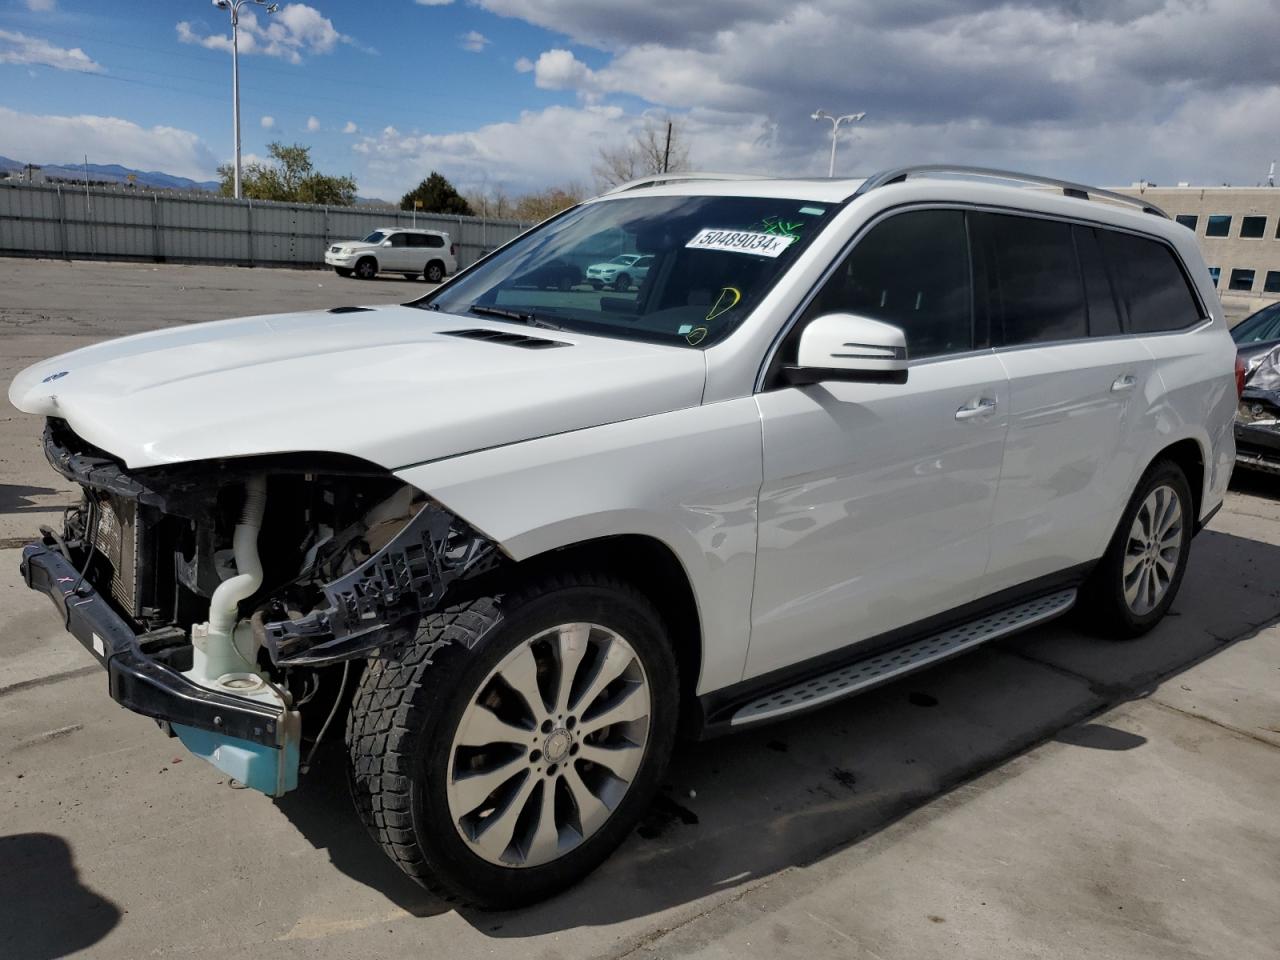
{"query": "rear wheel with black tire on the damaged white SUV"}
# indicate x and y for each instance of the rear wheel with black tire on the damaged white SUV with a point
(1136, 582)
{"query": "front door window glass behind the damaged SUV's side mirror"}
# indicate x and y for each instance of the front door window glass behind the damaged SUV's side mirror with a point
(911, 271)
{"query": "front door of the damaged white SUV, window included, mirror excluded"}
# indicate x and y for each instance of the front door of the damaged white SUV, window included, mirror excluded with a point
(877, 499)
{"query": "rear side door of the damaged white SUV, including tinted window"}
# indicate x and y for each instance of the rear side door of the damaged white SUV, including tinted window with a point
(1080, 390)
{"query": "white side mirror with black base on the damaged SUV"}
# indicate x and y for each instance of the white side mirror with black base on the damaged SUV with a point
(849, 348)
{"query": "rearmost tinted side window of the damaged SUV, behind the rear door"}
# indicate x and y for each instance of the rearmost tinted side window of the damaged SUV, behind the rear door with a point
(1151, 284)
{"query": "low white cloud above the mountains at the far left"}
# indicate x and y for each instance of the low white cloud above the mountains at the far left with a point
(53, 140)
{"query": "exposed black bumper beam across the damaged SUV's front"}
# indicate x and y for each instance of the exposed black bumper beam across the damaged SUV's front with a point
(135, 680)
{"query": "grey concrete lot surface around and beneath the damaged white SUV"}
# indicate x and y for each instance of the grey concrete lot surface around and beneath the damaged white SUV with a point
(1049, 797)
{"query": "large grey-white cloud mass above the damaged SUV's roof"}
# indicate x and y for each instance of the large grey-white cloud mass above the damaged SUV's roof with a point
(994, 81)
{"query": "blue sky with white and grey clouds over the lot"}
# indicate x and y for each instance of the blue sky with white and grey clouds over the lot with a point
(524, 94)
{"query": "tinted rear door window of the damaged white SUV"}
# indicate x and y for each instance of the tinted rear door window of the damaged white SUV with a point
(1036, 282)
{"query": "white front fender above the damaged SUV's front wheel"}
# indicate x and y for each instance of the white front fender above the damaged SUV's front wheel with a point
(689, 479)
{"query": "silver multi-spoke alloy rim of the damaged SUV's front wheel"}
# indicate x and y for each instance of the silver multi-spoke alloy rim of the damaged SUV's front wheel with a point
(550, 746)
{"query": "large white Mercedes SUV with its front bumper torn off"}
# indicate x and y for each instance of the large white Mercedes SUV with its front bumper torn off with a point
(845, 431)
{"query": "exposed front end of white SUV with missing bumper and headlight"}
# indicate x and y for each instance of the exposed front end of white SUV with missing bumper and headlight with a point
(217, 593)
